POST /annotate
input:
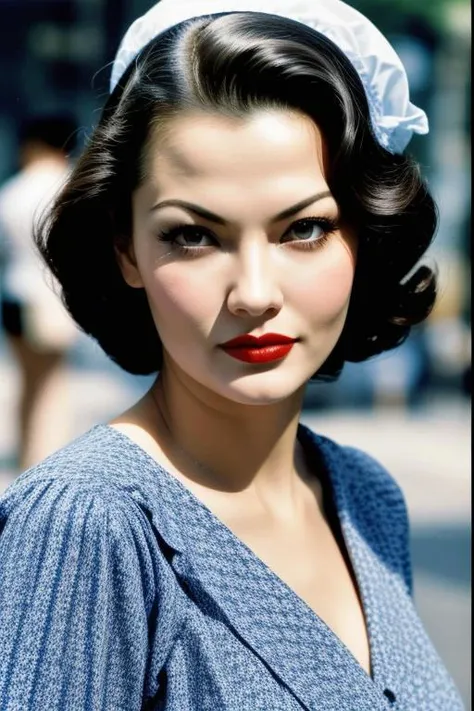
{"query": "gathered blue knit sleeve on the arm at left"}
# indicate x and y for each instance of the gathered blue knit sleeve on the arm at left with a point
(75, 588)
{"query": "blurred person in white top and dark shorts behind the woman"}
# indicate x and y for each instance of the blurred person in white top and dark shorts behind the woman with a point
(36, 325)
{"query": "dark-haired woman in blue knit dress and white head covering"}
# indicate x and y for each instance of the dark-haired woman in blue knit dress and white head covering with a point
(242, 219)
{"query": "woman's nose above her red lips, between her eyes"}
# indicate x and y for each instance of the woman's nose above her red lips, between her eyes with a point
(254, 289)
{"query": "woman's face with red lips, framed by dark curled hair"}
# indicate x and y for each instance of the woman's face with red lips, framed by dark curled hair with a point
(235, 232)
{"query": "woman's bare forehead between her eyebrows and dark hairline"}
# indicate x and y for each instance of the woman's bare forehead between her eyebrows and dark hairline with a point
(266, 144)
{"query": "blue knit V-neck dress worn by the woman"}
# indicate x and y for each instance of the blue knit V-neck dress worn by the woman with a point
(121, 591)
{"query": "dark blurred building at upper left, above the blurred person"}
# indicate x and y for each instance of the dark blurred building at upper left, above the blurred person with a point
(54, 55)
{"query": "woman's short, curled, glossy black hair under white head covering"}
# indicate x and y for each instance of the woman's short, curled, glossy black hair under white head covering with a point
(234, 64)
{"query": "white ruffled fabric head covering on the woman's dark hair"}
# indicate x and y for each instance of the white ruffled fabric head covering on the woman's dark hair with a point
(394, 118)
